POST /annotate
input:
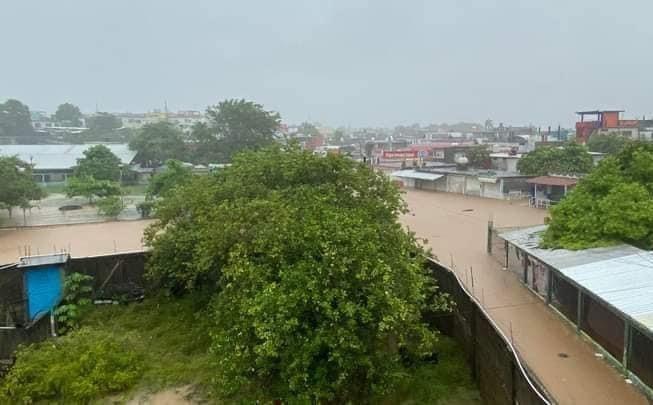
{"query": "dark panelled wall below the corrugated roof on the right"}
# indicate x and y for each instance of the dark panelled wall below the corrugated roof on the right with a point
(627, 344)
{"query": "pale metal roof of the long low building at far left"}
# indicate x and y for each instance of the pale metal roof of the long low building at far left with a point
(61, 157)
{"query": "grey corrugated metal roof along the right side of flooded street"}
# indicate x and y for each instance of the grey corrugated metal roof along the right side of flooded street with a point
(620, 275)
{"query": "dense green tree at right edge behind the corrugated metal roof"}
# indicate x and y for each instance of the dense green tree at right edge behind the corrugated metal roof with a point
(614, 203)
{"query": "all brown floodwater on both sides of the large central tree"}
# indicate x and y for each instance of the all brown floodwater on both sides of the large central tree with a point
(456, 229)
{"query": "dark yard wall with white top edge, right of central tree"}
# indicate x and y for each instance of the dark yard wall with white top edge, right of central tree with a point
(496, 367)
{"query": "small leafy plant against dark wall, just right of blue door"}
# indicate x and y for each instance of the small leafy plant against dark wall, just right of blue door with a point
(76, 302)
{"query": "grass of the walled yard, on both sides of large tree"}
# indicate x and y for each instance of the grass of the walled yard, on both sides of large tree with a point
(170, 339)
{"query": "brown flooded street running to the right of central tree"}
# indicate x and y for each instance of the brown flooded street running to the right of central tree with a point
(455, 227)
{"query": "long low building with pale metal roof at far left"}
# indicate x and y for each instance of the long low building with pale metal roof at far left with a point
(54, 163)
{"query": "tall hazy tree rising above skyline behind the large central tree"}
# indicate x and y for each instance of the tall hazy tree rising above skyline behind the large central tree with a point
(234, 125)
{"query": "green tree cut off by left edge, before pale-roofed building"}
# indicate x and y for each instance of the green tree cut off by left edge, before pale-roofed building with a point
(18, 187)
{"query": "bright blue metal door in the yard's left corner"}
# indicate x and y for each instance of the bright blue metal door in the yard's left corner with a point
(44, 287)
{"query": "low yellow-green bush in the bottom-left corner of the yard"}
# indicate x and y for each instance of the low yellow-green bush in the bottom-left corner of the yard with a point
(72, 370)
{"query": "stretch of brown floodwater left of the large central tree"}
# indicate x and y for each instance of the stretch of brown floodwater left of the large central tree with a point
(79, 240)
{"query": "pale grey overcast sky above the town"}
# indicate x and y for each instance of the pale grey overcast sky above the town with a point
(345, 62)
